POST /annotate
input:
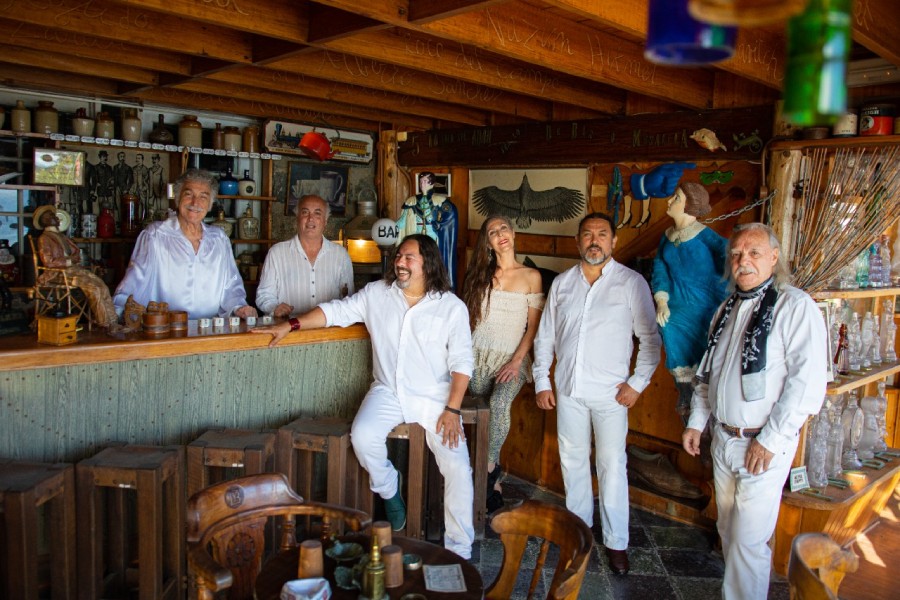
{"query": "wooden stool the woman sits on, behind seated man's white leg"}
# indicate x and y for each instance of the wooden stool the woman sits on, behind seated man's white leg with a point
(476, 416)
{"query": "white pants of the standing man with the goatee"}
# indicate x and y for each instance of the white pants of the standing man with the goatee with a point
(574, 419)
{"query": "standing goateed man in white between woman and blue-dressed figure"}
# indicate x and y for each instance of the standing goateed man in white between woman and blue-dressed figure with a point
(592, 313)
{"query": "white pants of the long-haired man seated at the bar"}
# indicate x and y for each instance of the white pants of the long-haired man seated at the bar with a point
(379, 413)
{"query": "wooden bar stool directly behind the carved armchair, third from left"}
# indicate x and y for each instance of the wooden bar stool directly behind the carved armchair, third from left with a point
(247, 449)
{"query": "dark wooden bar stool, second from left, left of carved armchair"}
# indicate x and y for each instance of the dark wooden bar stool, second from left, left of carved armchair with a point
(156, 473)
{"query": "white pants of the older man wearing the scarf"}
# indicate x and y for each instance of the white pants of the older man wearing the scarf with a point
(748, 510)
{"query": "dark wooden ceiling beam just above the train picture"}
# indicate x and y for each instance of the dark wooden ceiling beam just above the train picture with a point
(251, 108)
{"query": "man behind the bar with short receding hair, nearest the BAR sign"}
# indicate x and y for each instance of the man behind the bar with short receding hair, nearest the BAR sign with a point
(307, 269)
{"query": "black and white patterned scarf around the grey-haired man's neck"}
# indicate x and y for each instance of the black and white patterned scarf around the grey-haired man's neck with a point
(753, 355)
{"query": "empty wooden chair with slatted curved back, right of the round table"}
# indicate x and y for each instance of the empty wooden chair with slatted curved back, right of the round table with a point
(554, 525)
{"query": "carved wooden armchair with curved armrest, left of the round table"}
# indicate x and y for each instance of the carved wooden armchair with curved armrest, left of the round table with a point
(226, 526)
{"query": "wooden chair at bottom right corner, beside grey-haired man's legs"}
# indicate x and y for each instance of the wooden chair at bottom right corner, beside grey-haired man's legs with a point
(818, 566)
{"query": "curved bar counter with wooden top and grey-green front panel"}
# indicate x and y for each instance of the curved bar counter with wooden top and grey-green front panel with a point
(66, 403)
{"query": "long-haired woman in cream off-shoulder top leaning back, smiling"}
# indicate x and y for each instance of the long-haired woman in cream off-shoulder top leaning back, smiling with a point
(505, 300)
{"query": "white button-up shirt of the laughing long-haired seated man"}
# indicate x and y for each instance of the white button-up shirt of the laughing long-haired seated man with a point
(415, 349)
